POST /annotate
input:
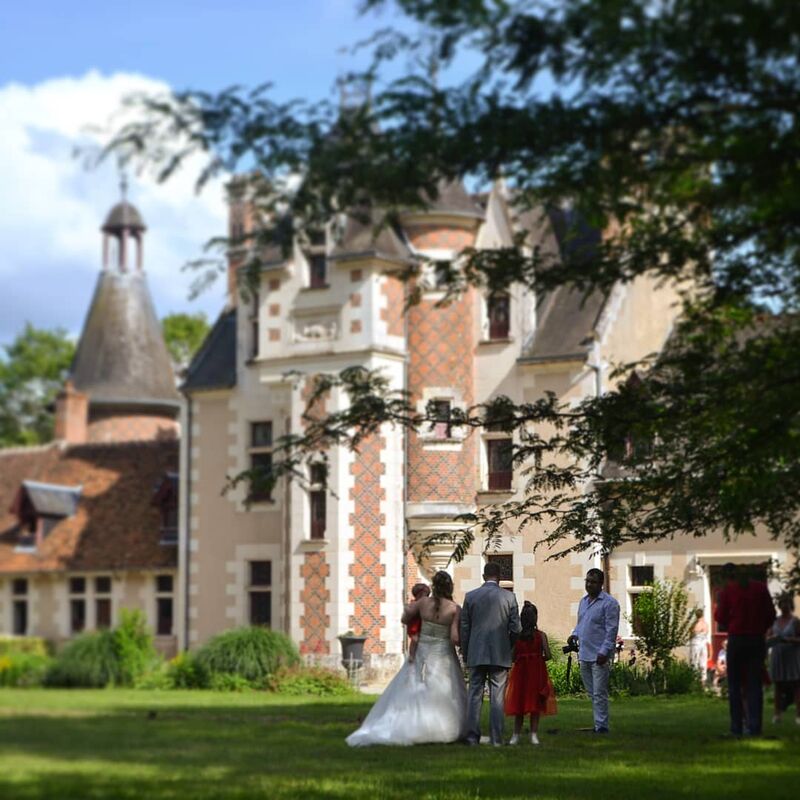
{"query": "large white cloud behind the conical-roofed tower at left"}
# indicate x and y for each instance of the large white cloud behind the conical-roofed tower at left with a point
(51, 207)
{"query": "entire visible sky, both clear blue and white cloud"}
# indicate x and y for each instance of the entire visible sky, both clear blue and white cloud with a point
(64, 66)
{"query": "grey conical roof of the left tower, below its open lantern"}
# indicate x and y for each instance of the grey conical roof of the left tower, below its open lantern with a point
(121, 357)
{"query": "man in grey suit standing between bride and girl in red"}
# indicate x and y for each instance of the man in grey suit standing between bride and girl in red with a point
(489, 621)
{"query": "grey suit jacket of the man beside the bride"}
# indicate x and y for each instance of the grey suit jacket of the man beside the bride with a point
(489, 620)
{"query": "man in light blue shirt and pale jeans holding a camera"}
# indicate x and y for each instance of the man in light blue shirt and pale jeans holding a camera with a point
(596, 634)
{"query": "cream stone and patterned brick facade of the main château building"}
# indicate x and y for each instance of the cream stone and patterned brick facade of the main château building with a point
(400, 489)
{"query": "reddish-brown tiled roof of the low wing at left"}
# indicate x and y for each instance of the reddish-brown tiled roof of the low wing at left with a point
(114, 527)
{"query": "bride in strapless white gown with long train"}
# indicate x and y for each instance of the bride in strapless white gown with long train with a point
(426, 701)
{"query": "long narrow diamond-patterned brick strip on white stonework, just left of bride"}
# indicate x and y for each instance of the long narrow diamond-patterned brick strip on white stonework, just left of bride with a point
(367, 544)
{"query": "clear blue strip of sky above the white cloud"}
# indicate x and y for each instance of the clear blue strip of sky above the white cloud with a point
(199, 43)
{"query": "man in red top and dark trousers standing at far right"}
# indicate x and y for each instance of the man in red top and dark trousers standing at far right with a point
(745, 612)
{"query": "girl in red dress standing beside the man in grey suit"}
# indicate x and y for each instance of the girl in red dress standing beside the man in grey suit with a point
(529, 689)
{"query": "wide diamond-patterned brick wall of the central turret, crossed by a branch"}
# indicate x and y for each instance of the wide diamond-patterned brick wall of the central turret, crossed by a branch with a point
(442, 353)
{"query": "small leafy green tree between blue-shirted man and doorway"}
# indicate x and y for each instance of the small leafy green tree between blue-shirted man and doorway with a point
(663, 620)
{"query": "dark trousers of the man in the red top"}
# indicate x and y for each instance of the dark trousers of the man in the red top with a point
(745, 664)
